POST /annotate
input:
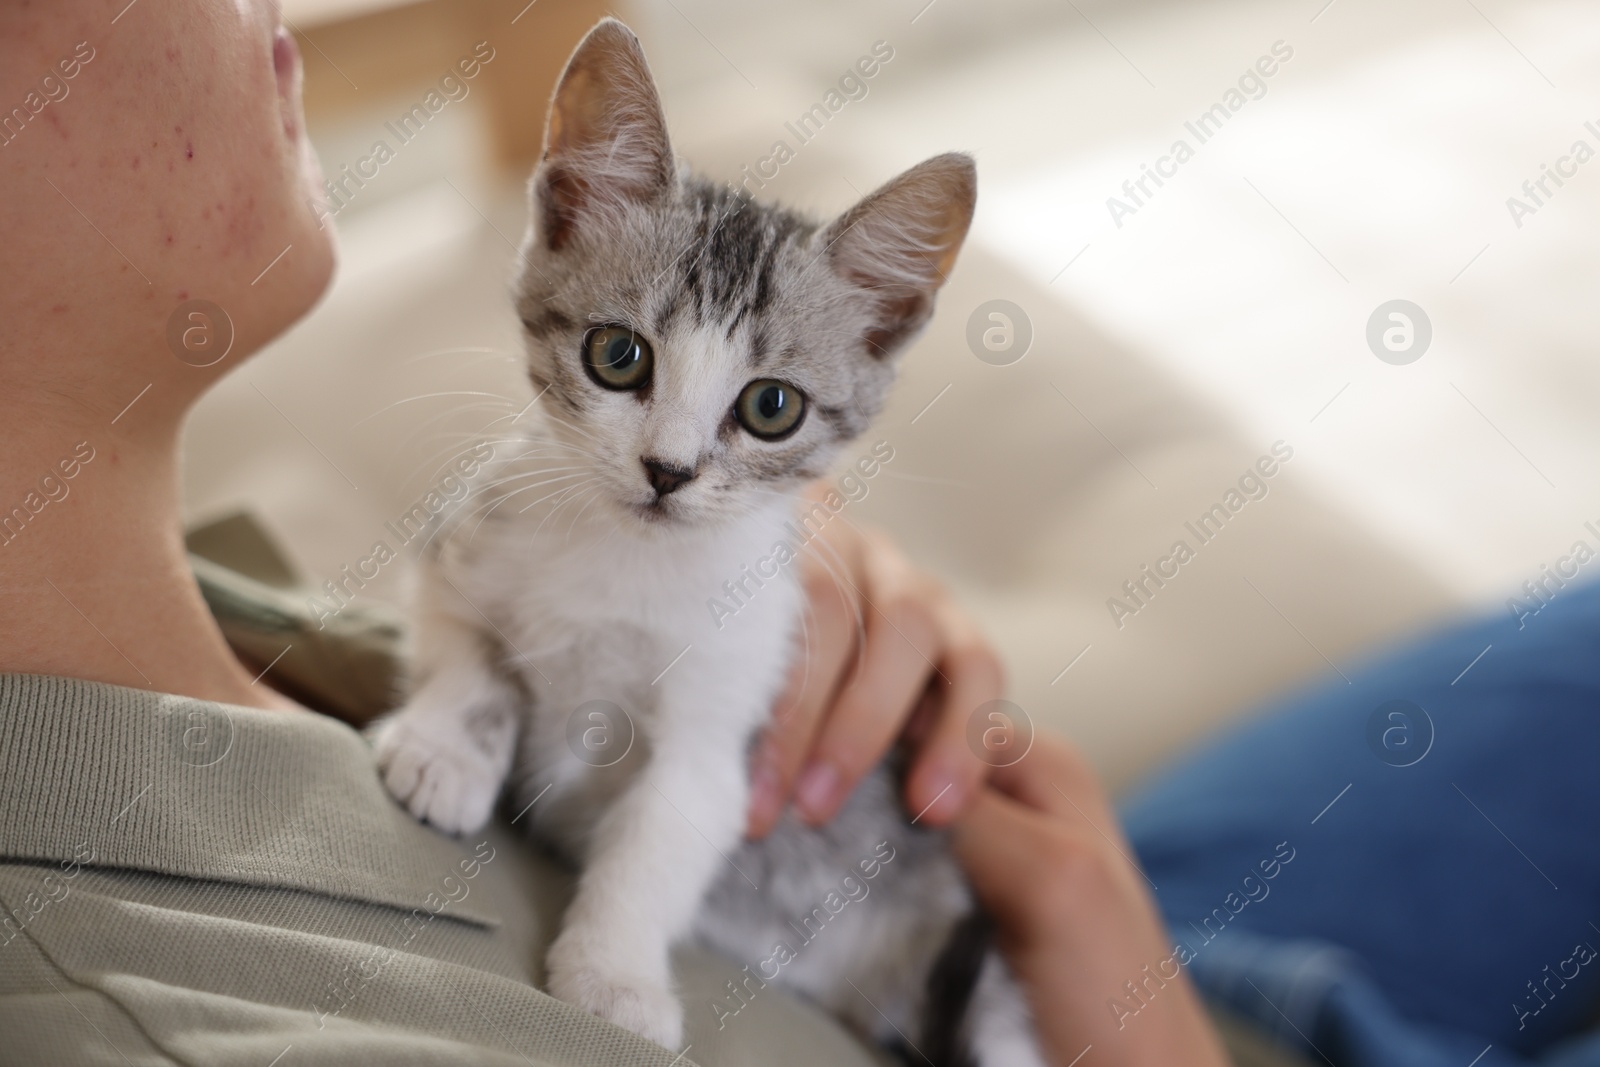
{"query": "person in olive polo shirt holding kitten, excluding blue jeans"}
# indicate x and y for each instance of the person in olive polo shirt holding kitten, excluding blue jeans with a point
(201, 869)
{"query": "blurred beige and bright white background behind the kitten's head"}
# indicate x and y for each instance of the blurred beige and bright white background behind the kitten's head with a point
(1156, 351)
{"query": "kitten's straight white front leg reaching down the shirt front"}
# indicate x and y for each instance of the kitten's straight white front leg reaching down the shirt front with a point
(652, 860)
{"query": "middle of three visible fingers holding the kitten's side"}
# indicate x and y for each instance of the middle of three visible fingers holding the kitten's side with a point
(898, 657)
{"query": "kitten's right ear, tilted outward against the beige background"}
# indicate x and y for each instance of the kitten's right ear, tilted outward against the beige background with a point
(902, 244)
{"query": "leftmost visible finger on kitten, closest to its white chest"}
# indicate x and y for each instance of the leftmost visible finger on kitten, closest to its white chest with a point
(833, 631)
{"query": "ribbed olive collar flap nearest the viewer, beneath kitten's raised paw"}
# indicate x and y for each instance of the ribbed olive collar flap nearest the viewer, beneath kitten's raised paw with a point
(186, 788)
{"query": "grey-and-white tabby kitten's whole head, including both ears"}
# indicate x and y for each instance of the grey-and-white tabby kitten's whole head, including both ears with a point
(702, 354)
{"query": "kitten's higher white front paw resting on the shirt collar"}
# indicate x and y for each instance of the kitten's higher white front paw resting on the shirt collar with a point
(444, 780)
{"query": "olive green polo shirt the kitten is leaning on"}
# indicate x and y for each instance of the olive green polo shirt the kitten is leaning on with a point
(185, 882)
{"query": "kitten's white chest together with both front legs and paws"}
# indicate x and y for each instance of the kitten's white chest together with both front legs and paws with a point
(526, 620)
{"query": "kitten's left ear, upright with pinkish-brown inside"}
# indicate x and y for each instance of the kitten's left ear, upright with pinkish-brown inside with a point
(606, 140)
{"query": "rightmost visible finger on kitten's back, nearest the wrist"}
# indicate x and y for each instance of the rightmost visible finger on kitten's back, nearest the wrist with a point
(948, 772)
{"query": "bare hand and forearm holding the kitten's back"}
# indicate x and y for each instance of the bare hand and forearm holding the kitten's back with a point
(887, 653)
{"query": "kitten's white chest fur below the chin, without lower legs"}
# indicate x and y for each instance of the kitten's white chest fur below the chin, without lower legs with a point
(620, 653)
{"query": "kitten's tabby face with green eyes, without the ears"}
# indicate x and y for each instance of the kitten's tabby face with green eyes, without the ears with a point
(697, 348)
